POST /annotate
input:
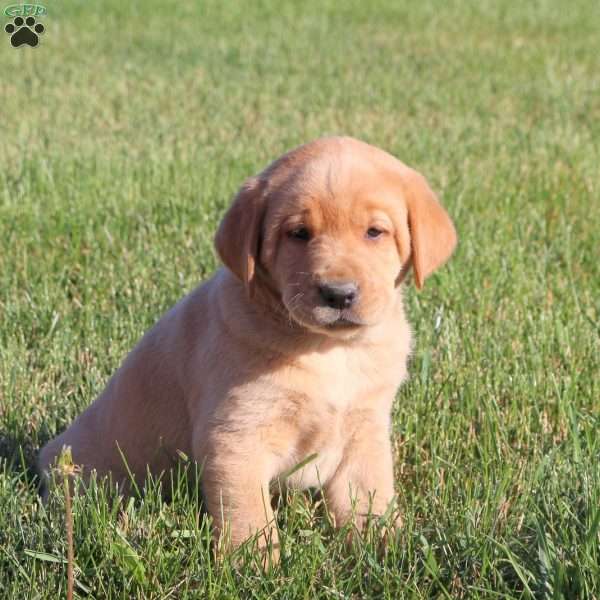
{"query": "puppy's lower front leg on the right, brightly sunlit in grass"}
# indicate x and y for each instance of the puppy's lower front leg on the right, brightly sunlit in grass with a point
(363, 484)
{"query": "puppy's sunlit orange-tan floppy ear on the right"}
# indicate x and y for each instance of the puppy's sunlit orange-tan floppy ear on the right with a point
(432, 234)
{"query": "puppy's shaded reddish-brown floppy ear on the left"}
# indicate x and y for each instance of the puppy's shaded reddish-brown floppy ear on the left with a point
(238, 237)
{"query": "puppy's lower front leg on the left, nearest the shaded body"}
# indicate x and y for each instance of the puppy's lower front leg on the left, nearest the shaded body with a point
(236, 492)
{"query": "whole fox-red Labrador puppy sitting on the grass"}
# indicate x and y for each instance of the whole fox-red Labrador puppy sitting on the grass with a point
(295, 349)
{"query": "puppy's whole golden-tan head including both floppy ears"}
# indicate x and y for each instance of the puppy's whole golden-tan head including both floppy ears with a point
(333, 226)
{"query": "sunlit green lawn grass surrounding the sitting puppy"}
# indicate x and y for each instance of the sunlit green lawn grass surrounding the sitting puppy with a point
(122, 139)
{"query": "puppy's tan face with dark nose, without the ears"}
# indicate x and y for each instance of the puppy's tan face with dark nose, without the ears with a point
(329, 244)
